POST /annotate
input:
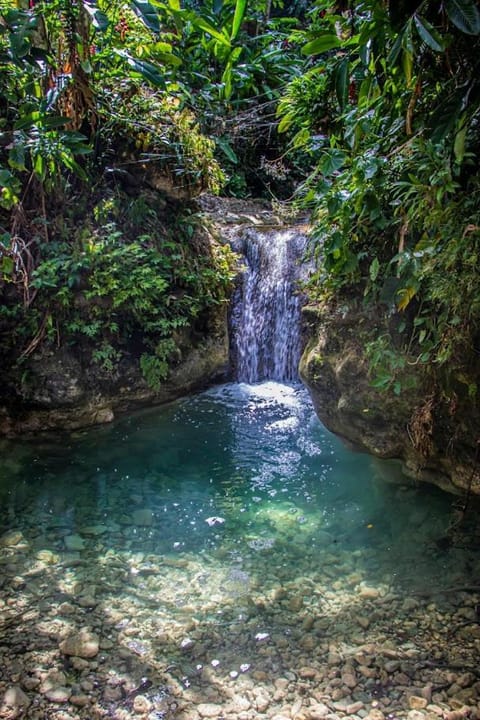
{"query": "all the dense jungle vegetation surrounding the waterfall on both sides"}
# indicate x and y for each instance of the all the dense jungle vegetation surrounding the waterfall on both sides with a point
(366, 113)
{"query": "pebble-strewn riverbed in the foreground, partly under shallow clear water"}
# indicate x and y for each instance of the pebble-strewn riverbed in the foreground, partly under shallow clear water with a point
(89, 632)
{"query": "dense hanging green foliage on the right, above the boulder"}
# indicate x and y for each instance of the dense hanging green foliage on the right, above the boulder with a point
(391, 137)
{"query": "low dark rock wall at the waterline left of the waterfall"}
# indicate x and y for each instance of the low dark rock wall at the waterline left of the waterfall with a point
(64, 390)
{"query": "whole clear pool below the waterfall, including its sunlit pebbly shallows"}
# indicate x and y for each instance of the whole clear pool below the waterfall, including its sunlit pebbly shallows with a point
(211, 527)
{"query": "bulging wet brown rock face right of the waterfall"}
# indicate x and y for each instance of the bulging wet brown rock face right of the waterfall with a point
(335, 369)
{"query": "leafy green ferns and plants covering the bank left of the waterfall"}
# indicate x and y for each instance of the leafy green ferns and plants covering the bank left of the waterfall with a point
(112, 291)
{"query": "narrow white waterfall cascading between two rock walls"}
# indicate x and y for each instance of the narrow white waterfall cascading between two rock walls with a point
(265, 318)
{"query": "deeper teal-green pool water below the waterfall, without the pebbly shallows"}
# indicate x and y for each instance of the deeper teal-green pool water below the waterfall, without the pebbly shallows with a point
(227, 477)
